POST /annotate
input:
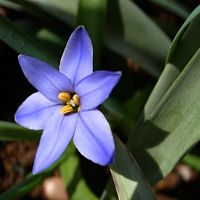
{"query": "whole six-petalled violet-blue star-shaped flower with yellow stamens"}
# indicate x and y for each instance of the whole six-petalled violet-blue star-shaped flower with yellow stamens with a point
(65, 105)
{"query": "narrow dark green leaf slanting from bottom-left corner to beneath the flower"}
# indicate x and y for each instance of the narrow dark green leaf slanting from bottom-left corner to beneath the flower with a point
(32, 181)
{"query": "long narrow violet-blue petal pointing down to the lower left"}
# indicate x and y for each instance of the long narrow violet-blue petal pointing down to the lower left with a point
(54, 140)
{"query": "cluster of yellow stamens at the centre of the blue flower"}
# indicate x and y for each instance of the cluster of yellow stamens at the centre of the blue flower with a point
(71, 102)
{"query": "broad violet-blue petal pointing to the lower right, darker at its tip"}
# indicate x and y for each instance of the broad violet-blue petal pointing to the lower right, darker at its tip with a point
(93, 137)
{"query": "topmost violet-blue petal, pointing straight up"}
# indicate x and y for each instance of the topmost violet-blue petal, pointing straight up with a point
(77, 58)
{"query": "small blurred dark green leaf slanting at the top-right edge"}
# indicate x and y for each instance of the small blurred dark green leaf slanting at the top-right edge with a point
(173, 6)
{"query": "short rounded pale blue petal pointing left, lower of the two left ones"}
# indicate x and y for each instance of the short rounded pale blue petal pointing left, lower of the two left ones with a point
(35, 111)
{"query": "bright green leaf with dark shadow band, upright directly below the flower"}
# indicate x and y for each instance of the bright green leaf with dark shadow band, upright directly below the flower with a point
(72, 176)
